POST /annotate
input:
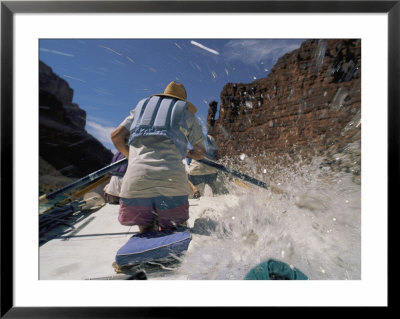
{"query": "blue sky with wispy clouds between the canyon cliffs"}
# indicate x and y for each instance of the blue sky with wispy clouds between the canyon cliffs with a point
(109, 76)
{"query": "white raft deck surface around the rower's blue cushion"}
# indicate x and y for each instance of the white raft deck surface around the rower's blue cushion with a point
(88, 252)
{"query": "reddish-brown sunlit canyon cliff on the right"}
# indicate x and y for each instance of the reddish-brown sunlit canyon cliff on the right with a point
(309, 104)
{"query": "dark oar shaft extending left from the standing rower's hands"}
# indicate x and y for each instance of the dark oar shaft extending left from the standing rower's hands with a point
(82, 181)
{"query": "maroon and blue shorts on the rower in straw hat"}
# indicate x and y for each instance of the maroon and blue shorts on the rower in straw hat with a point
(167, 212)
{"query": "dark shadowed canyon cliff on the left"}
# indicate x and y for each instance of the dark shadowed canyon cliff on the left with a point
(63, 141)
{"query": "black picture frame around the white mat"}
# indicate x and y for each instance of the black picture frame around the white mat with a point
(9, 8)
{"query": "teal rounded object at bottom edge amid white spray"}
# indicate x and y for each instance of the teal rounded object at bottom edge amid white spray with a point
(275, 270)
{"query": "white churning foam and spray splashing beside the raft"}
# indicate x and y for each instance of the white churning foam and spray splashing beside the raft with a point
(314, 225)
